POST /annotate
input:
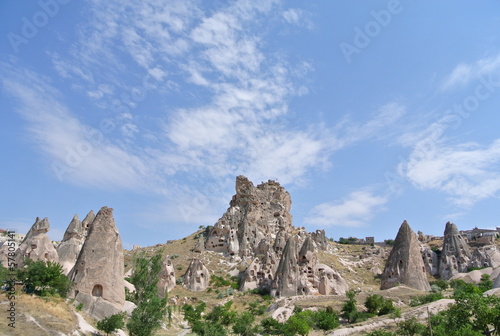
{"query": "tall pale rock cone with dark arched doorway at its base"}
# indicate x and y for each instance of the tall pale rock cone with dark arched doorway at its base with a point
(98, 271)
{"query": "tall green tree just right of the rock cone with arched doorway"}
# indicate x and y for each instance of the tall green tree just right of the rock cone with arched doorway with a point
(151, 309)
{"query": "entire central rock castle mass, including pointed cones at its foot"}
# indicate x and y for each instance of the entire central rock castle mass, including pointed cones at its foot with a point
(258, 226)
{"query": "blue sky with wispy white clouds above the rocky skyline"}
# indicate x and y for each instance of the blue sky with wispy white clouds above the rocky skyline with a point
(369, 113)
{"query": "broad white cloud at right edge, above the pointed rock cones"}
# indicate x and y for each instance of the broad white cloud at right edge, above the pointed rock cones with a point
(467, 172)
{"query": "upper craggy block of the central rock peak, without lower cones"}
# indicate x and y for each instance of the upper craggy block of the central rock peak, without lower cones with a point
(255, 213)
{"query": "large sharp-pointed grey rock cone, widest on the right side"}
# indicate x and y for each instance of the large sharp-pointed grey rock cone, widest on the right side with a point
(405, 265)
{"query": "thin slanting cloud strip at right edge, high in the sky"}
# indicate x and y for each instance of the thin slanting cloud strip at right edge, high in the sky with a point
(464, 73)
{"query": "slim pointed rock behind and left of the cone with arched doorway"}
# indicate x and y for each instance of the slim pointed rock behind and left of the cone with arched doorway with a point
(69, 248)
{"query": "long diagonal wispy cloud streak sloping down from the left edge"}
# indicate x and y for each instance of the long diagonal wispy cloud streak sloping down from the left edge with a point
(75, 151)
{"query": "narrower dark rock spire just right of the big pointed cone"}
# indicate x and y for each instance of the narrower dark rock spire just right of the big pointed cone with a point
(455, 256)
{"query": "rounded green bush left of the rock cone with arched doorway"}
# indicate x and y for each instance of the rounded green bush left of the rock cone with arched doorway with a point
(44, 278)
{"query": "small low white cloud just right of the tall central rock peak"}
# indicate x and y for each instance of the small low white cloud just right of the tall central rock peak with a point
(354, 210)
